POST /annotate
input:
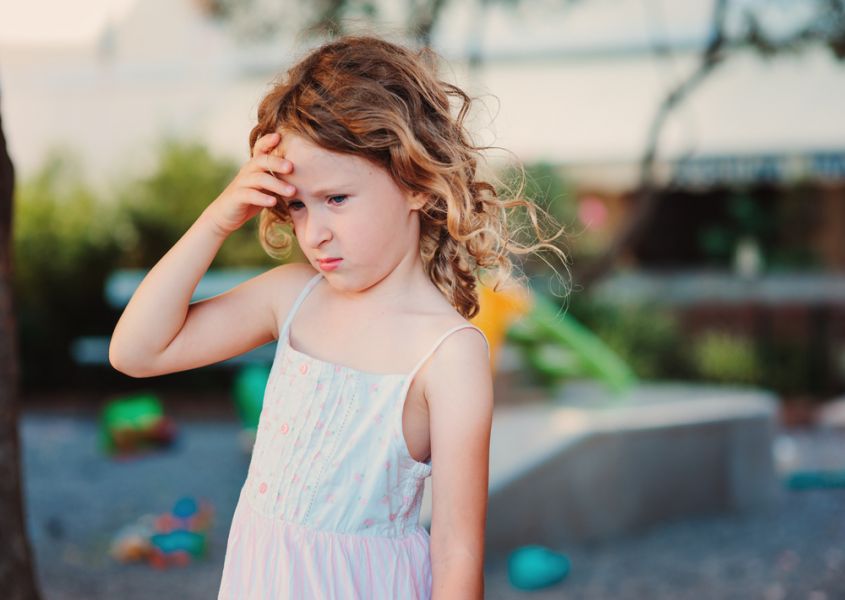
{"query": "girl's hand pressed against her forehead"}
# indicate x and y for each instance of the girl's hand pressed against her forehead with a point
(246, 195)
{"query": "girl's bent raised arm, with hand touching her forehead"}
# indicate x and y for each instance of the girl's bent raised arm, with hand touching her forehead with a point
(160, 331)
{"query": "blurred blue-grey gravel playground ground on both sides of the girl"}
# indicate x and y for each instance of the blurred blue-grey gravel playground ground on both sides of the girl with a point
(77, 498)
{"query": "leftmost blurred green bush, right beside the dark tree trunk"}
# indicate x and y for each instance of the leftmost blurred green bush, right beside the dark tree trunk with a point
(63, 247)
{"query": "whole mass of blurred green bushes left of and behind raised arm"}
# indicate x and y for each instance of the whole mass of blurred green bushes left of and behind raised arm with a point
(67, 239)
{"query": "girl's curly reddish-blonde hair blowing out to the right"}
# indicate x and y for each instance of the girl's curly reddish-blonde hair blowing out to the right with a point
(364, 95)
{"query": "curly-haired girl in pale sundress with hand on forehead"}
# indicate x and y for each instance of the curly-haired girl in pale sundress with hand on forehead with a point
(378, 380)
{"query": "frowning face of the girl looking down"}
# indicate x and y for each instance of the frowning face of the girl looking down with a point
(348, 208)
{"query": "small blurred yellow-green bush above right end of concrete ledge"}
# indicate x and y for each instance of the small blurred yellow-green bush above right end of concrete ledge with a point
(725, 357)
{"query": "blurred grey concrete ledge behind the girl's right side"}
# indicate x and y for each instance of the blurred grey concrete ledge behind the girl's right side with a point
(584, 467)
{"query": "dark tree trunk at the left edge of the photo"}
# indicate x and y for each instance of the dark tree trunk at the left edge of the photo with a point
(17, 577)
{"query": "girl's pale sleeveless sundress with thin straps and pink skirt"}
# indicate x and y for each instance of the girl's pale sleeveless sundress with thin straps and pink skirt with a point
(330, 505)
